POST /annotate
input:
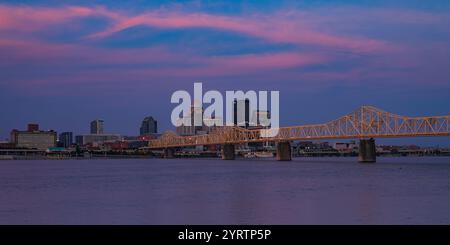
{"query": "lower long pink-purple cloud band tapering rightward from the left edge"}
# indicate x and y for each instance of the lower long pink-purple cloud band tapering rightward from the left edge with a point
(77, 64)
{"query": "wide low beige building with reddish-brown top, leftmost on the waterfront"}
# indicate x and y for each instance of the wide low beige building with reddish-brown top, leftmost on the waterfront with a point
(33, 138)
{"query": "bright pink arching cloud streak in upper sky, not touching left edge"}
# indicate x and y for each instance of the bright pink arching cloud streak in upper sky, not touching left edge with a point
(274, 28)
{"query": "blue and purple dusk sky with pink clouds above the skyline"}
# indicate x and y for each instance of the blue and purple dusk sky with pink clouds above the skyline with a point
(65, 64)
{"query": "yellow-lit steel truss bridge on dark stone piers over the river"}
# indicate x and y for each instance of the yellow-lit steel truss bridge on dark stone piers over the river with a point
(364, 123)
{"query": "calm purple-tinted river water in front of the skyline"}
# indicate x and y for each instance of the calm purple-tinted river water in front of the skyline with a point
(204, 191)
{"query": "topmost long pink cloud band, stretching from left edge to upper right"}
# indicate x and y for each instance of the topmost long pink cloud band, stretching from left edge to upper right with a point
(278, 27)
